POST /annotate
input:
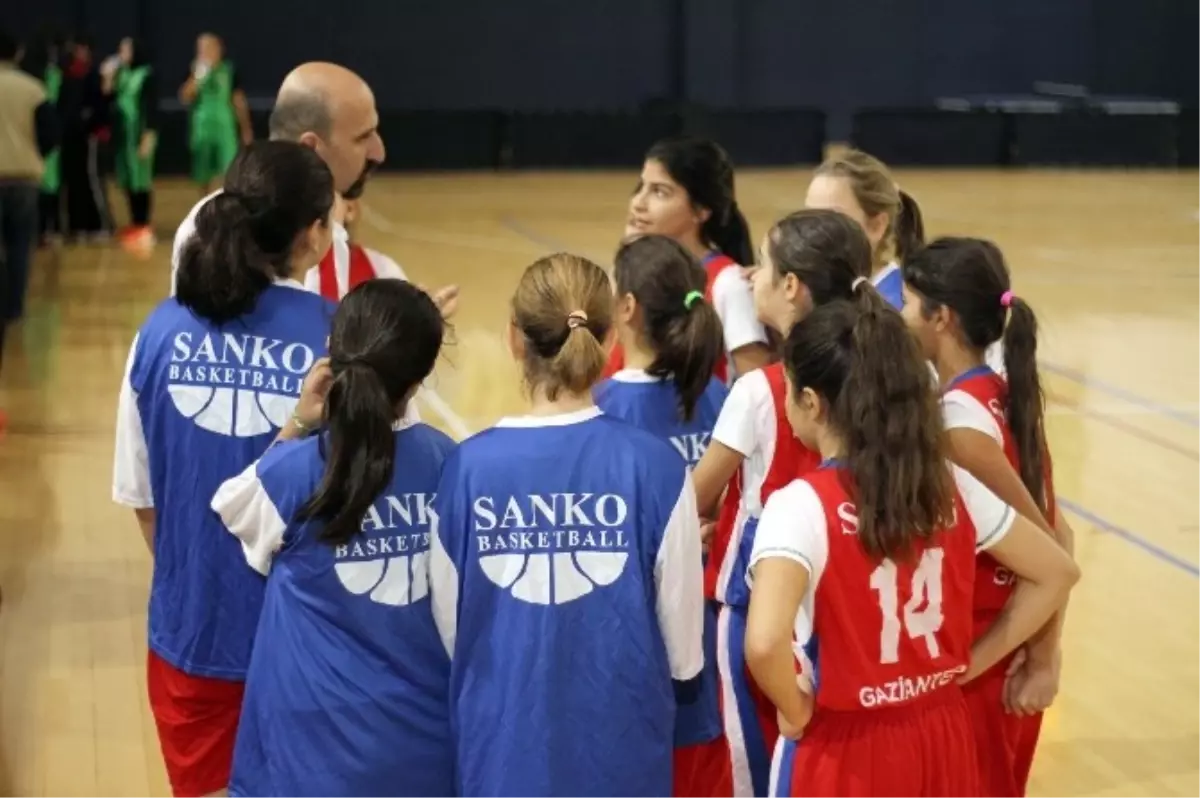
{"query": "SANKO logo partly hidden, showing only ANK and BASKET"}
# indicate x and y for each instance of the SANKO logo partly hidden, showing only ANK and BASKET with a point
(392, 560)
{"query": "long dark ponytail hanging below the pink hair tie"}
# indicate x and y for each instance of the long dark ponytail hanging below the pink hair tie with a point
(1027, 403)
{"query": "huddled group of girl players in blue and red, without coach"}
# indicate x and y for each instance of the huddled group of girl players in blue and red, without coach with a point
(773, 530)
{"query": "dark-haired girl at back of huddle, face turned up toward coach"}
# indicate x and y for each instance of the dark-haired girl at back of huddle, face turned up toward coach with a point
(686, 193)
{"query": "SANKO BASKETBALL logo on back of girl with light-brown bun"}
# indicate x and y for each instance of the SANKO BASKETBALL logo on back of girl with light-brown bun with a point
(553, 549)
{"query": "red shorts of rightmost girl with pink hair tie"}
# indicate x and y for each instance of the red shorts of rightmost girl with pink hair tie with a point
(1005, 743)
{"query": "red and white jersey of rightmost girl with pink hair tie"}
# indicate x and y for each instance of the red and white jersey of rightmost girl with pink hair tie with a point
(979, 400)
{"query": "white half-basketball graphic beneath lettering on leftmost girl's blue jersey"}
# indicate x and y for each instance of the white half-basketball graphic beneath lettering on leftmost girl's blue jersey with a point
(233, 412)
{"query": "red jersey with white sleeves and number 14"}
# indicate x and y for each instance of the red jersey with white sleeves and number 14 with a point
(875, 633)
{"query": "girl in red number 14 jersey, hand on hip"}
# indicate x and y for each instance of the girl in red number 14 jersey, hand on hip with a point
(873, 555)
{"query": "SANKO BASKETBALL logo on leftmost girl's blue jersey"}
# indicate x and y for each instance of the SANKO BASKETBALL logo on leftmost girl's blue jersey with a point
(236, 385)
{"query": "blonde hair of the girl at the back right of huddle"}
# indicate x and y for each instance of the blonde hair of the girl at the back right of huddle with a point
(877, 193)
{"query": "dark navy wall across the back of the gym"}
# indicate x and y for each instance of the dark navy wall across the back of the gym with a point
(549, 55)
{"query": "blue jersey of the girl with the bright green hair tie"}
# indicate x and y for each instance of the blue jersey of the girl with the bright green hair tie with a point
(653, 405)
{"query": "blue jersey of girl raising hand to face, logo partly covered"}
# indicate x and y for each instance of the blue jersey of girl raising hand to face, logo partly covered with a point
(347, 692)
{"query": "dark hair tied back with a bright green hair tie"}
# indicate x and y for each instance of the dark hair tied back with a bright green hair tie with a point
(681, 327)
